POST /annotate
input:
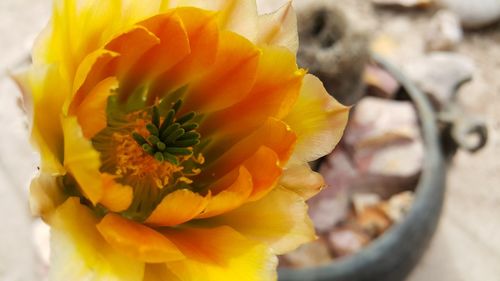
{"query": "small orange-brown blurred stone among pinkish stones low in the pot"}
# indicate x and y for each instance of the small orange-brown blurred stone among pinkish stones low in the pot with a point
(373, 221)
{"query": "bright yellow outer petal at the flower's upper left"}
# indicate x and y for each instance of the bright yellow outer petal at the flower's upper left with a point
(79, 28)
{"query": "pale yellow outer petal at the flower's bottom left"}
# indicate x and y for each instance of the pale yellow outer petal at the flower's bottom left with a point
(78, 251)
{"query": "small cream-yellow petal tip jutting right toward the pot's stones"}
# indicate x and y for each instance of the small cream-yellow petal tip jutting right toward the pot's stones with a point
(302, 180)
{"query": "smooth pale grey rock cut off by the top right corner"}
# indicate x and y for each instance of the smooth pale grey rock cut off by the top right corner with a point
(474, 13)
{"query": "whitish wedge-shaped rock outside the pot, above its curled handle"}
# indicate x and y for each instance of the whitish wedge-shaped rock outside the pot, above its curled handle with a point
(440, 74)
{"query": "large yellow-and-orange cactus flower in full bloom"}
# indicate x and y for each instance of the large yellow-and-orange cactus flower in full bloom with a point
(174, 139)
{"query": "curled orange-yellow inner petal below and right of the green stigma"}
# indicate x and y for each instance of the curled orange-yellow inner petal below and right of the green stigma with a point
(232, 190)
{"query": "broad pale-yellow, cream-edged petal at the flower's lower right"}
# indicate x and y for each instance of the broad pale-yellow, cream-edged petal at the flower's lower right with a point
(279, 219)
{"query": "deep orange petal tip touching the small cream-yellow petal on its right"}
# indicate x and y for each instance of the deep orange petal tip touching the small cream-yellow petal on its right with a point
(265, 170)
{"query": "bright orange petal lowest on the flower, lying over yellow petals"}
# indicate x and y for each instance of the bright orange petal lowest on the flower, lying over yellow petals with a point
(137, 240)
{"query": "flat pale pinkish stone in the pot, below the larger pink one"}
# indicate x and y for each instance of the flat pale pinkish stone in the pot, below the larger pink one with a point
(397, 160)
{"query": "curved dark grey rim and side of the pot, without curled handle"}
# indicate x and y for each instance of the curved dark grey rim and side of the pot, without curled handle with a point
(394, 254)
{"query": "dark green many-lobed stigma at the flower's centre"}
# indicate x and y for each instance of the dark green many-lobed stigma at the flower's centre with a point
(169, 136)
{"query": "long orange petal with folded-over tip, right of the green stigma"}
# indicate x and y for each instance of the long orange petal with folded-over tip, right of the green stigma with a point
(274, 134)
